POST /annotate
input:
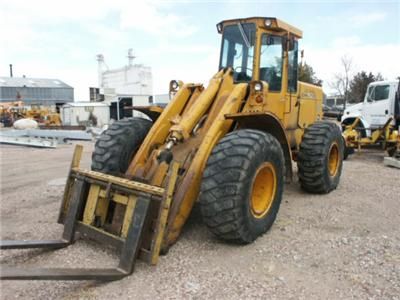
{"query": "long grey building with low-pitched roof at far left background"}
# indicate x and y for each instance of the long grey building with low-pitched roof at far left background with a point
(43, 91)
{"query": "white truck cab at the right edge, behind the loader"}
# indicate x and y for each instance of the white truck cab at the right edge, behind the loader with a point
(380, 103)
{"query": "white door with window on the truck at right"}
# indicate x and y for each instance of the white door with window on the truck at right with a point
(376, 108)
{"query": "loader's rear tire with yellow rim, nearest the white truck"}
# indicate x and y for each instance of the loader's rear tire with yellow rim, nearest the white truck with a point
(320, 158)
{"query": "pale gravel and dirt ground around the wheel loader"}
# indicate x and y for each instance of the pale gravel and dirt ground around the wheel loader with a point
(345, 245)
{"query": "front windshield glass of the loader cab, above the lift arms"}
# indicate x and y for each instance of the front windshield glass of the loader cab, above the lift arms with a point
(238, 50)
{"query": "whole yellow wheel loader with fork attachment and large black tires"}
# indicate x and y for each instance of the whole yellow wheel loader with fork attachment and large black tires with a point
(229, 147)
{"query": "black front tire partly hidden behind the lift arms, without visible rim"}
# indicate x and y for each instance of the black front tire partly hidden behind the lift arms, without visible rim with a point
(118, 144)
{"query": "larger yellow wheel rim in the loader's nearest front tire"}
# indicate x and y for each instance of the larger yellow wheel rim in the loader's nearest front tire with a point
(264, 188)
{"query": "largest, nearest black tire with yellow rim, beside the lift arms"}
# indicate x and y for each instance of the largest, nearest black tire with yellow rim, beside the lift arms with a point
(242, 185)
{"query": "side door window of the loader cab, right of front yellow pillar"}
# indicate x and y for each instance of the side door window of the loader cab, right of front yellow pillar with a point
(271, 61)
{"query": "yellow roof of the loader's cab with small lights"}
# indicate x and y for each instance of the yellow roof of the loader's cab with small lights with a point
(276, 24)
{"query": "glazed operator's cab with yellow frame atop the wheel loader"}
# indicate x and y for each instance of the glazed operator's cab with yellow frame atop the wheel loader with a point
(263, 49)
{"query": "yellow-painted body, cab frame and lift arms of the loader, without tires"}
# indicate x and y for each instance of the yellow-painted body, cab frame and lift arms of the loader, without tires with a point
(198, 117)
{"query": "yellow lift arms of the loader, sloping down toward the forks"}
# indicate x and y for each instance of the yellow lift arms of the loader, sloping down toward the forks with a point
(220, 98)
